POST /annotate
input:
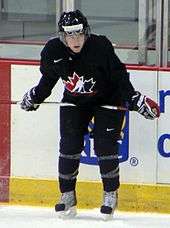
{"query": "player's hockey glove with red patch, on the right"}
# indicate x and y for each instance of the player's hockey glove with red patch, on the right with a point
(145, 106)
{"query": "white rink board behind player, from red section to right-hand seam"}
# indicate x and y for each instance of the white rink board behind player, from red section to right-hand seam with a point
(35, 135)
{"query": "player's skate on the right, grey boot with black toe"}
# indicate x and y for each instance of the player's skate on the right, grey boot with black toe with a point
(109, 204)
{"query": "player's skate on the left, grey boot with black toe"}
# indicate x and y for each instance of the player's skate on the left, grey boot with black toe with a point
(66, 208)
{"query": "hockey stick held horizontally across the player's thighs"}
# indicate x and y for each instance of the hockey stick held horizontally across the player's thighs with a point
(119, 108)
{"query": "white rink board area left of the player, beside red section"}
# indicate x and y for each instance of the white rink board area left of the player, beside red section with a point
(34, 135)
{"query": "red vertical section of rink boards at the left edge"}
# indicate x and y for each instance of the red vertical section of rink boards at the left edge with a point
(5, 111)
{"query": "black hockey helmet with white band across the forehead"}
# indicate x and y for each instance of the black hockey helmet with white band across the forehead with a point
(73, 21)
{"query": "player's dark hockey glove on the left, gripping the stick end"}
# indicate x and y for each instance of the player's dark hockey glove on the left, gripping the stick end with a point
(27, 102)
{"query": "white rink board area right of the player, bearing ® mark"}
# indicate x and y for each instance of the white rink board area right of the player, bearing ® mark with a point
(142, 135)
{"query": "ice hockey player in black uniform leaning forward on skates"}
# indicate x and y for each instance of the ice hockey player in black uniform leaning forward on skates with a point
(93, 76)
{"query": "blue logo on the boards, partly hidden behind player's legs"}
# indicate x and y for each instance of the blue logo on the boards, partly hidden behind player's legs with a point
(88, 155)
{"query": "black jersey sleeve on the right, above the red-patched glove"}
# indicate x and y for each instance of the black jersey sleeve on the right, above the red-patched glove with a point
(118, 73)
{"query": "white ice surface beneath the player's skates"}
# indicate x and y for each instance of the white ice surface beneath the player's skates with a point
(36, 217)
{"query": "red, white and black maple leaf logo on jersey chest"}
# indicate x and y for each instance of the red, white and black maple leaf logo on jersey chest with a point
(77, 84)
